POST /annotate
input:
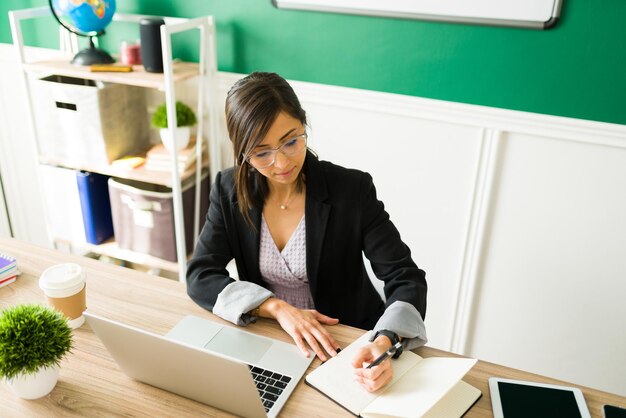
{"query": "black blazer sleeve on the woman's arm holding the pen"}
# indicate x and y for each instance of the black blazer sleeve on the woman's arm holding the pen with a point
(390, 257)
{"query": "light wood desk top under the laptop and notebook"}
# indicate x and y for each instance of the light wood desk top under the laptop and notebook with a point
(91, 384)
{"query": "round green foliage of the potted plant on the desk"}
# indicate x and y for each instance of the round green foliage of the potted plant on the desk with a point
(32, 337)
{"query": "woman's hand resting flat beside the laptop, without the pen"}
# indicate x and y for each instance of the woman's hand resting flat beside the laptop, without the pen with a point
(304, 326)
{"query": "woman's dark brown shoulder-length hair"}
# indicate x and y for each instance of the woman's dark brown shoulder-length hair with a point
(252, 105)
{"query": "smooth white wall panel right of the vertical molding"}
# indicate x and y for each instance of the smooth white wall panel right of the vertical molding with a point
(551, 294)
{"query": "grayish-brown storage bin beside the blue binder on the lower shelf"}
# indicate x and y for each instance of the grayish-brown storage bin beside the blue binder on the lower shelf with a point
(143, 219)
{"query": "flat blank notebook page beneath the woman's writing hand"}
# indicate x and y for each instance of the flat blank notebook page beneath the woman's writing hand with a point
(335, 378)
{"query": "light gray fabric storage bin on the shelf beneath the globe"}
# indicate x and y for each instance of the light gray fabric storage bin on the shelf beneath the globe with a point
(89, 122)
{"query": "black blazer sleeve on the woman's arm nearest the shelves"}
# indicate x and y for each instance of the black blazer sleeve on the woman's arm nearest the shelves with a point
(206, 272)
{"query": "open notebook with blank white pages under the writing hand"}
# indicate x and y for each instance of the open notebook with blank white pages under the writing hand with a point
(421, 387)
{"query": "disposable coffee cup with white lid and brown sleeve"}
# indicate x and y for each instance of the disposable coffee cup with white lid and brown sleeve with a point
(64, 286)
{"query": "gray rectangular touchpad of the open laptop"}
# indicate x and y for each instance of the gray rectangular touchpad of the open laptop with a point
(240, 345)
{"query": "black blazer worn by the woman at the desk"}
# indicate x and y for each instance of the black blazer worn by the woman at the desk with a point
(344, 220)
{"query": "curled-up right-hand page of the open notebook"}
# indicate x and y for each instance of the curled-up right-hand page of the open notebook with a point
(421, 388)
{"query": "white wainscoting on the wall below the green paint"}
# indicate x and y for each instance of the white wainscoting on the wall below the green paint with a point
(518, 219)
